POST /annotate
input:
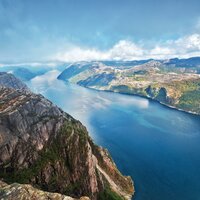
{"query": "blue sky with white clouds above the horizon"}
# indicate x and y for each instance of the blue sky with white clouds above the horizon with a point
(75, 30)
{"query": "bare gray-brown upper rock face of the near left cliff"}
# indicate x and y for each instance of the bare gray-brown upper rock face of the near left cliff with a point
(26, 121)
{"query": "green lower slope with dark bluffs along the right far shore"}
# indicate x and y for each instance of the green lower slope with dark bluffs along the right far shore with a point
(184, 94)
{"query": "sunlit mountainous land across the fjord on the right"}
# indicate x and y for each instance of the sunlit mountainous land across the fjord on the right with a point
(173, 82)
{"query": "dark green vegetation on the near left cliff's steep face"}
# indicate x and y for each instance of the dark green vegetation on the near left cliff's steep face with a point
(59, 151)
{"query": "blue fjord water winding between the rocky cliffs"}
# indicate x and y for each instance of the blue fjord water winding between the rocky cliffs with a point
(157, 146)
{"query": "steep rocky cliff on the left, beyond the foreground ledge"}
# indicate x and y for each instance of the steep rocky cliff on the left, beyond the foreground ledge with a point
(43, 146)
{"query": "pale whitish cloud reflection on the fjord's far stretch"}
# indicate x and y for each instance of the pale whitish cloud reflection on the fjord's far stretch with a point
(84, 100)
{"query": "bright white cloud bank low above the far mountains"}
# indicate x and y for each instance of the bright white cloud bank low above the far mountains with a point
(184, 47)
